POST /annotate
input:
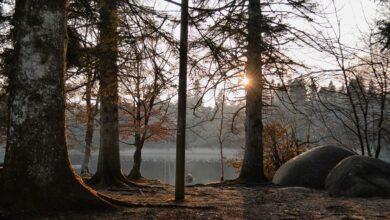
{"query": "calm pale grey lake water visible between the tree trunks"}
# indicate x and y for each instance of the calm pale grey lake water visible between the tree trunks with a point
(202, 164)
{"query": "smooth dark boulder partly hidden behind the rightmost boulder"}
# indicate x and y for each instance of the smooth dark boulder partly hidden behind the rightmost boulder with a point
(310, 168)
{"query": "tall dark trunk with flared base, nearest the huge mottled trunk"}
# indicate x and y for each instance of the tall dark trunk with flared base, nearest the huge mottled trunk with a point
(109, 168)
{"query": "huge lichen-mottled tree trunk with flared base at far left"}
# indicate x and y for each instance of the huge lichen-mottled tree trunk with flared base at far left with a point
(37, 173)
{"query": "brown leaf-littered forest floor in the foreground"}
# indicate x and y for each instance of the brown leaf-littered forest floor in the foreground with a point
(233, 202)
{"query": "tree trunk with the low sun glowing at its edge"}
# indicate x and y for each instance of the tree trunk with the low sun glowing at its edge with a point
(252, 167)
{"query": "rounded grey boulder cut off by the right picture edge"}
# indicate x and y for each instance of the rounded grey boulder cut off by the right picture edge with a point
(359, 176)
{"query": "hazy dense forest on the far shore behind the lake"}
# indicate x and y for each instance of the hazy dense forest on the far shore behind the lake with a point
(310, 115)
